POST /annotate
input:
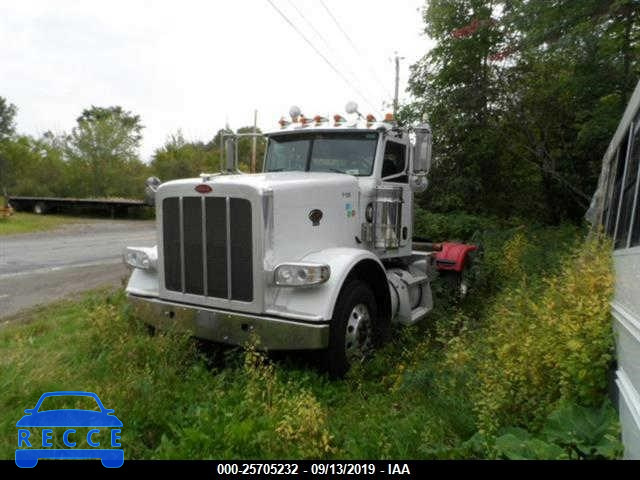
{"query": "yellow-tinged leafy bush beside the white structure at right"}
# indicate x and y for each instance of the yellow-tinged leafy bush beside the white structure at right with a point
(547, 340)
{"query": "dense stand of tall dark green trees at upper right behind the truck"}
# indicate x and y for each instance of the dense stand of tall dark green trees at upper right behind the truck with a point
(523, 97)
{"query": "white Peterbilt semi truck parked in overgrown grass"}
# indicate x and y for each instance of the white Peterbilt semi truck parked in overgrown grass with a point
(315, 252)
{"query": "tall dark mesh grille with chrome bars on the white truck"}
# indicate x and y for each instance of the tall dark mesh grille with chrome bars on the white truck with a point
(207, 246)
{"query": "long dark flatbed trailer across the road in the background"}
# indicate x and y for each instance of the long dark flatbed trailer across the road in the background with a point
(42, 205)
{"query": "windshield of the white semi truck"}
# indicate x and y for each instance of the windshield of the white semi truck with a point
(351, 153)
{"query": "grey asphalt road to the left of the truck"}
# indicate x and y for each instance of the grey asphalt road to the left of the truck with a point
(39, 268)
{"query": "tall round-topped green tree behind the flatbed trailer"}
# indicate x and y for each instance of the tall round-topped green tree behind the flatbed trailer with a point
(102, 149)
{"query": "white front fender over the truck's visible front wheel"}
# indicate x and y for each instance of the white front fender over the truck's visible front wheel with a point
(318, 302)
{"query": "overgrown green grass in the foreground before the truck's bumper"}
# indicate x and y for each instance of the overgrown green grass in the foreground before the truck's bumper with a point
(179, 401)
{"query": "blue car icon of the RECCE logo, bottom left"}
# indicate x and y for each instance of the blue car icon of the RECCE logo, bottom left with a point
(99, 422)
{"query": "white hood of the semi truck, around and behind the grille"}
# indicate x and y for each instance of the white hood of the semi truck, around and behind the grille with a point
(294, 213)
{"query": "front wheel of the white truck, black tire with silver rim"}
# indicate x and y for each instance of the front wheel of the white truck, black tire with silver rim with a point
(356, 329)
